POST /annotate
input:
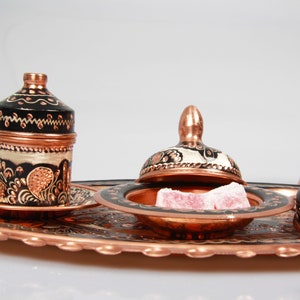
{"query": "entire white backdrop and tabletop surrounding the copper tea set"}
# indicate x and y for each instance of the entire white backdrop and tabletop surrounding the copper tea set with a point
(128, 69)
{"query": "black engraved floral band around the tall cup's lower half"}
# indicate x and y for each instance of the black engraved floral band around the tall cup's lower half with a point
(34, 185)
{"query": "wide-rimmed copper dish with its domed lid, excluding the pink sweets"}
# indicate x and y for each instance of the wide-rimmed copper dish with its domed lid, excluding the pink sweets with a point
(190, 166)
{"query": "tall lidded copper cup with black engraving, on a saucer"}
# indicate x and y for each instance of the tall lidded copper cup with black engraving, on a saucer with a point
(36, 143)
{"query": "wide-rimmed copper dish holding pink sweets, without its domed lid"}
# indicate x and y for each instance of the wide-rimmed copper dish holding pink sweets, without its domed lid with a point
(139, 199)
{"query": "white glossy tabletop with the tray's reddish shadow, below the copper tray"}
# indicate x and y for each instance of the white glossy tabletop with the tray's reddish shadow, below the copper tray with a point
(47, 272)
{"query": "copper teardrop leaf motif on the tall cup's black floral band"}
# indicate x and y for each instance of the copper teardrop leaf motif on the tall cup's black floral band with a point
(39, 179)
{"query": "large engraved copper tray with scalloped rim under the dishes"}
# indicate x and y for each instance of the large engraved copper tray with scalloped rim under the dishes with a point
(109, 232)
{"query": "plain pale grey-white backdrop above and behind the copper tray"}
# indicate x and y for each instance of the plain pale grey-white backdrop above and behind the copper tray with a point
(129, 68)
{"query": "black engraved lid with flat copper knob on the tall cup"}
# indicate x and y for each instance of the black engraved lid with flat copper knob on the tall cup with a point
(35, 109)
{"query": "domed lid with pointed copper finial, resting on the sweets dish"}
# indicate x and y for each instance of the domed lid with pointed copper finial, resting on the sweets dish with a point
(190, 160)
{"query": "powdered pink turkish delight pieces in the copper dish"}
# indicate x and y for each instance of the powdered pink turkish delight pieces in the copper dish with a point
(231, 196)
